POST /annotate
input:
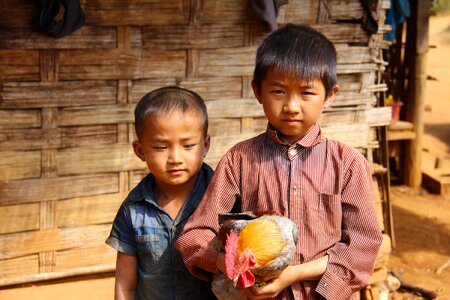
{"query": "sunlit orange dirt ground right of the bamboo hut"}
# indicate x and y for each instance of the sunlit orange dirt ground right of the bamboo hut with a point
(422, 220)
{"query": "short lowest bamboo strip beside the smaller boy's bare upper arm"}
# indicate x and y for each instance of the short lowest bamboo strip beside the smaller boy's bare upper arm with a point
(77, 258)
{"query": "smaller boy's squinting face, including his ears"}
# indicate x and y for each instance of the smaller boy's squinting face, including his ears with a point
(173, 146)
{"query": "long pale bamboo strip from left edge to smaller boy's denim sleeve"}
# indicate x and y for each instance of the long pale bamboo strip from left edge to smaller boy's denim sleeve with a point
(14, 245)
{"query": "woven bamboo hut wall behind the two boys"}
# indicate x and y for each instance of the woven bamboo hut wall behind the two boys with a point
(66, 110)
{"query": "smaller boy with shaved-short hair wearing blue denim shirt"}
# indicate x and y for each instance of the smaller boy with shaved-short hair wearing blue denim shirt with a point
(172, 129)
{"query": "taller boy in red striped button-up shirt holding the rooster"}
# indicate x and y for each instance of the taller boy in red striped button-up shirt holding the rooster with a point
(324, 186)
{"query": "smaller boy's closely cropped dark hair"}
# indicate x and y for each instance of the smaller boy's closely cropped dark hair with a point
(165, 100)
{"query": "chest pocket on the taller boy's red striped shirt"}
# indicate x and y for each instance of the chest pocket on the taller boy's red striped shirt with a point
(330, 214)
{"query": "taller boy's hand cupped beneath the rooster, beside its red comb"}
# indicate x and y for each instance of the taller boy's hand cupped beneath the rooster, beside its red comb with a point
(275, 283)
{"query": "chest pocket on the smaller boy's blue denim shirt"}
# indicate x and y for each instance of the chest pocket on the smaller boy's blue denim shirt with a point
(151, 249)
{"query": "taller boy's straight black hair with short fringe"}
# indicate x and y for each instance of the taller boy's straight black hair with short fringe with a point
(299, 50)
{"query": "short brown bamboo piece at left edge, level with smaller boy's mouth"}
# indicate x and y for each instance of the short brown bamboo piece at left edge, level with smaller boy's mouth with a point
(20, 164)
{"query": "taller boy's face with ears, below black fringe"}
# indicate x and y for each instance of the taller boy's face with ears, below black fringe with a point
(290, 105)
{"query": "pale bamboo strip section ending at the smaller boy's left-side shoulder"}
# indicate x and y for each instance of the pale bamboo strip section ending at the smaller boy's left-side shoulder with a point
(89, 210)
